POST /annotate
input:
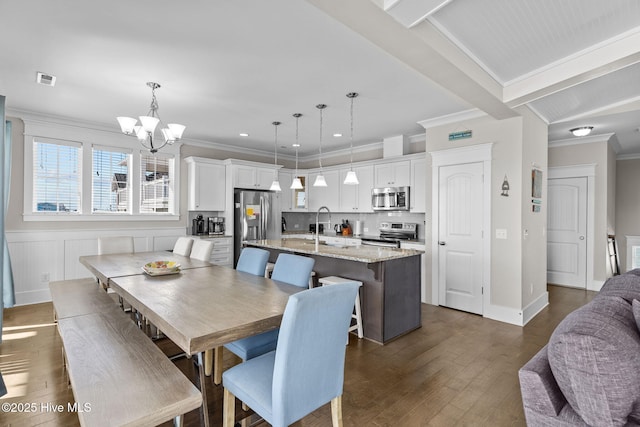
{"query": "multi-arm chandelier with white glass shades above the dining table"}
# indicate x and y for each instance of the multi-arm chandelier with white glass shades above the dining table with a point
(146, 130)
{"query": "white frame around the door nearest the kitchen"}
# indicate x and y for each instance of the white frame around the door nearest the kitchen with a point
(480, 153)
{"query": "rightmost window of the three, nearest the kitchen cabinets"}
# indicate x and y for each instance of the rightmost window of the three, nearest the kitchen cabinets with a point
(156, 183)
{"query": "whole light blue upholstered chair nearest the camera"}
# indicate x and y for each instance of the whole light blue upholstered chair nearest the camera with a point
(306, 370)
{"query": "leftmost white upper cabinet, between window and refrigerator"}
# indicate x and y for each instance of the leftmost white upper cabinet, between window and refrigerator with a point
(206, 184)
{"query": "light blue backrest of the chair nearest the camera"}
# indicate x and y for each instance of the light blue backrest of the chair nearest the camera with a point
(309, 361)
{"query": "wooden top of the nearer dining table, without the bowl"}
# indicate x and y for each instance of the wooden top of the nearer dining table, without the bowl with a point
(203, 308)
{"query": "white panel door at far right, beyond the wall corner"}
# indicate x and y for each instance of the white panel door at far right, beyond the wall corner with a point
(567, 231)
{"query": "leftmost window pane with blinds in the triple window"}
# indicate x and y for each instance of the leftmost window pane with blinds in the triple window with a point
(56, 176)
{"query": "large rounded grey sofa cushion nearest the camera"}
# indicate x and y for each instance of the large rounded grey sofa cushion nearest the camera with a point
(594, 355)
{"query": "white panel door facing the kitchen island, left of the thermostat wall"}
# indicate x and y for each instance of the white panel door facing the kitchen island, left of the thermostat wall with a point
(460, 237)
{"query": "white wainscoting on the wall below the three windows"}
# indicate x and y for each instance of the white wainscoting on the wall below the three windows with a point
(43, 256)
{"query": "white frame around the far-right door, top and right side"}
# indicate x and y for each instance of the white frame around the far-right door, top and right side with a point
(583, 171)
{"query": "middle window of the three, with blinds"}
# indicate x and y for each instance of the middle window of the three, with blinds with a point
(110, 189)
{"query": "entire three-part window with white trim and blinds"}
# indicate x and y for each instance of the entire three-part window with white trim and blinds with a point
(75, 173)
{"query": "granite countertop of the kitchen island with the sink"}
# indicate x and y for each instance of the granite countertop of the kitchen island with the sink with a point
(357, 253)
